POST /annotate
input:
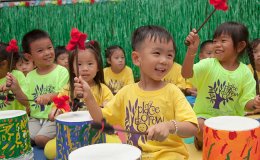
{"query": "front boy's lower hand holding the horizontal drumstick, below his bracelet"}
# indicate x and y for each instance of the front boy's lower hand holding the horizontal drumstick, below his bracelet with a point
(159, 132)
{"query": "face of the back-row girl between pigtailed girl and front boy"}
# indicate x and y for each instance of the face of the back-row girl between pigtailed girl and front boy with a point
(117, 60)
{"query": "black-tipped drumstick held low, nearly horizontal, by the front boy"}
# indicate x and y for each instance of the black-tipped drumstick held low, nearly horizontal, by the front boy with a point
(110, 129)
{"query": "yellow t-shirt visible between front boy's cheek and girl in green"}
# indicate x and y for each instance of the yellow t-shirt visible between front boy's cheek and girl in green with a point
(174, 76)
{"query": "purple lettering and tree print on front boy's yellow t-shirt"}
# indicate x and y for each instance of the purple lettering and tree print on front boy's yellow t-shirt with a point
(139, 117)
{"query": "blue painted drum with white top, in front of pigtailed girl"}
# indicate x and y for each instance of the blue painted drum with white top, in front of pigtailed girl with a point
(73, 131)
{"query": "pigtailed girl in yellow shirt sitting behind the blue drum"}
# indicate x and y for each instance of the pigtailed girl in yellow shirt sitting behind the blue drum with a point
(91, 69)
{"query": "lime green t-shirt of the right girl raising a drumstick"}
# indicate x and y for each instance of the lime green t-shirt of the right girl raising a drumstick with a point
(221, 92)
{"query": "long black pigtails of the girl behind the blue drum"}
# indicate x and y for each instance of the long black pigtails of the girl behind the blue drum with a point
(94, 48)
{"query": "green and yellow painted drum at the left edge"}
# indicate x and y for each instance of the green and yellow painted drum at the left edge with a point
(15, 140)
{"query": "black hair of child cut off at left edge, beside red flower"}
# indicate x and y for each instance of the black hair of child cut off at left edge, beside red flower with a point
(4, 55)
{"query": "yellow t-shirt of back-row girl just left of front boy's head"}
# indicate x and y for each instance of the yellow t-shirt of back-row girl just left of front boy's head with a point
(116, 81)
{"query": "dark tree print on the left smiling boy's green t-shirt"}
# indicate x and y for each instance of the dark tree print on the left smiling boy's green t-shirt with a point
(40, 90)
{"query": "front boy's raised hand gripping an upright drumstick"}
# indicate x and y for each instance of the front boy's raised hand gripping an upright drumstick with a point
(81, 87)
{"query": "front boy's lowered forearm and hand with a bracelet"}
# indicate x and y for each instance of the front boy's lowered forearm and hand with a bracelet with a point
(161, 131)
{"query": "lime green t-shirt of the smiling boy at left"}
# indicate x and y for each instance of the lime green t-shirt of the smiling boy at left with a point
(37, 84)
